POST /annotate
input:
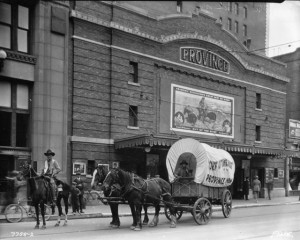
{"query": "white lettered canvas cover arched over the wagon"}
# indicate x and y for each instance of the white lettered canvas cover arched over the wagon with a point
(212, 167)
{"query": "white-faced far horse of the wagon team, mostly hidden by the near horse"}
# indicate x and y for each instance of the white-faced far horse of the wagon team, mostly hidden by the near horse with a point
(98, 178)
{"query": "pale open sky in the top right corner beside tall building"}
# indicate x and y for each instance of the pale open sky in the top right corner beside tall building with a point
(284, 27)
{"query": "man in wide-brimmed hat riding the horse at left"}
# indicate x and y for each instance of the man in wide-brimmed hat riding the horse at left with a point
(51, 169)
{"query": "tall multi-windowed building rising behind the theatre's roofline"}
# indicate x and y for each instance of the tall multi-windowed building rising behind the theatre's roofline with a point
(246, 21)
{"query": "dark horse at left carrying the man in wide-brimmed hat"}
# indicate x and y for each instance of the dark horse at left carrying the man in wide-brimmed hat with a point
(39, 192)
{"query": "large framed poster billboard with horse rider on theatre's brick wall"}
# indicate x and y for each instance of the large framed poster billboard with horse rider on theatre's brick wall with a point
(201, 112)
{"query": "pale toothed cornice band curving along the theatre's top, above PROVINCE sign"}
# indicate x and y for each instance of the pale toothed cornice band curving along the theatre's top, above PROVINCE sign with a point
(177, 36)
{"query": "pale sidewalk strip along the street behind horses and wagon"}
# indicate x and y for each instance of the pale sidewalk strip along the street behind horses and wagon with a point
(103, 211)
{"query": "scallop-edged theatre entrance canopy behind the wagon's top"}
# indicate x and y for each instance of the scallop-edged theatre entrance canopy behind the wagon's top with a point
(165, 141)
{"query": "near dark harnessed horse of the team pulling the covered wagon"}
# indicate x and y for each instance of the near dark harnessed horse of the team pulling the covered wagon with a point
(138, 192)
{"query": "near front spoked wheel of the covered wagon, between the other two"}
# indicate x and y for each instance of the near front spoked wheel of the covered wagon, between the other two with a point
(202, 211)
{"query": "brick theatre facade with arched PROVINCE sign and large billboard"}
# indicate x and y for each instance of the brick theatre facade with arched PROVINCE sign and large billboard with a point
(140, 82)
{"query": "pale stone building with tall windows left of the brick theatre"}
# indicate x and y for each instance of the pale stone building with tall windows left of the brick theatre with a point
(33, 84)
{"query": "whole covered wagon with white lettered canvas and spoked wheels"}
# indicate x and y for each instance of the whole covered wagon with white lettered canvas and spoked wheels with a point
(209, 173)
